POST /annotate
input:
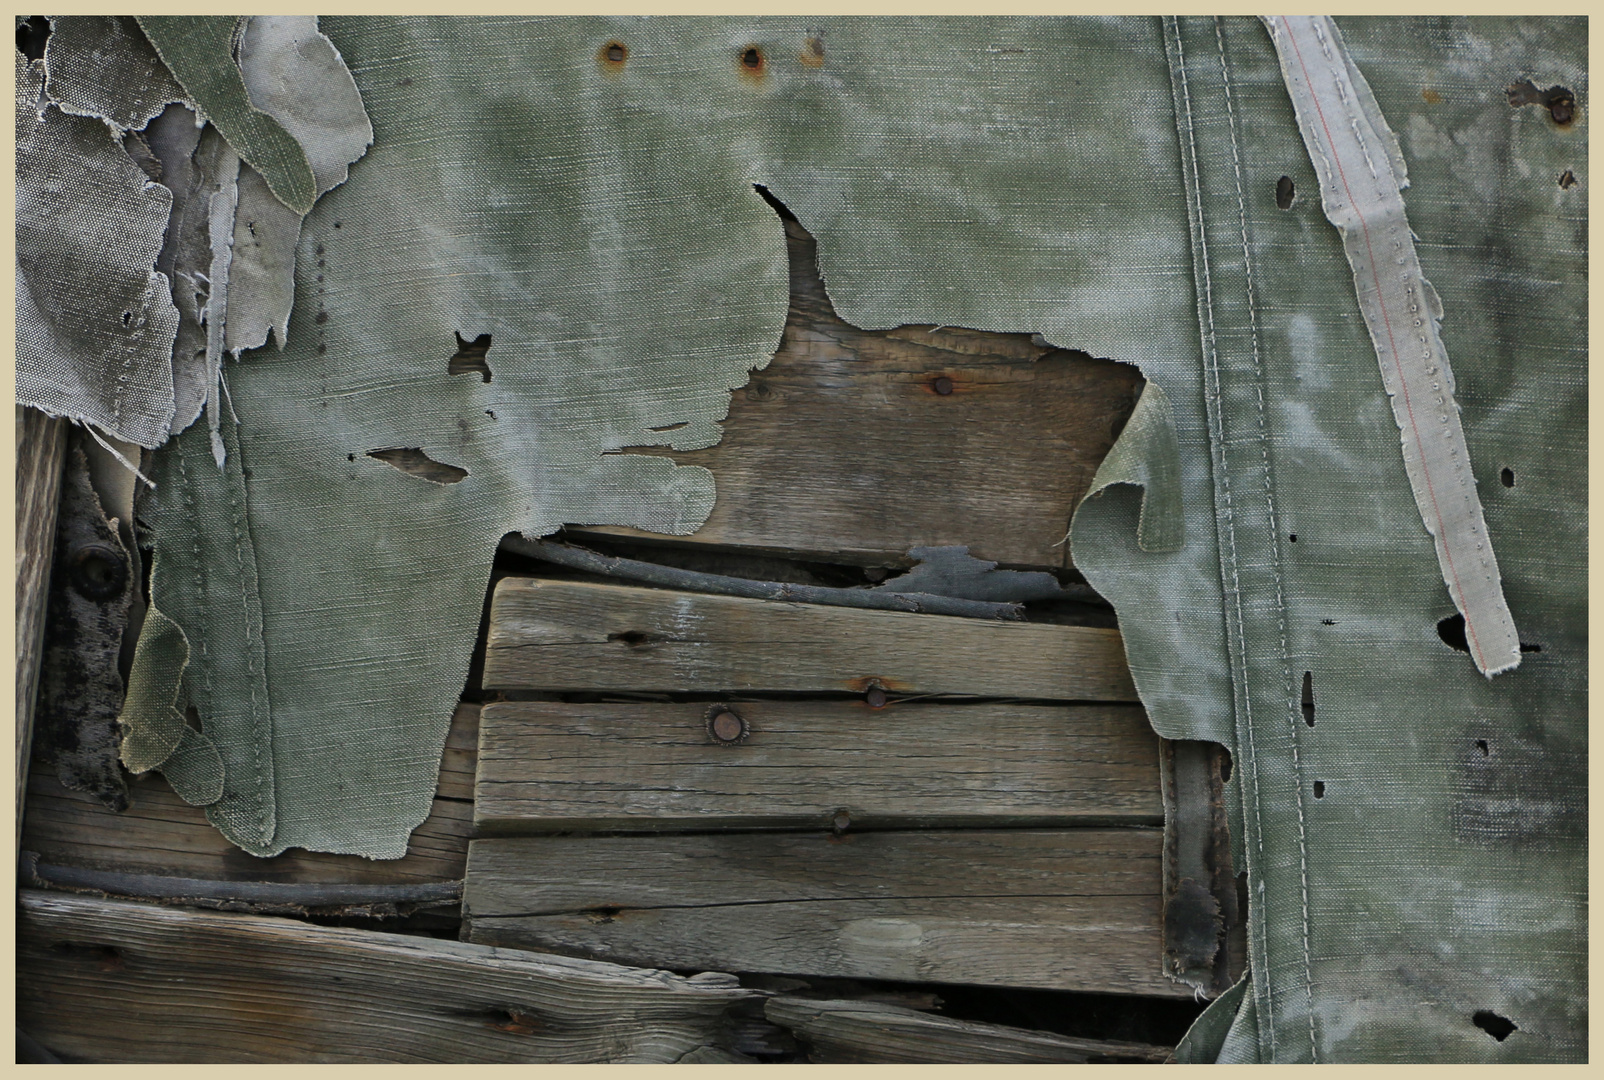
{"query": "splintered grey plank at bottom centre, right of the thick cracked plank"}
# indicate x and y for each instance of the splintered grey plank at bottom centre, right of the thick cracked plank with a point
(870, 1033)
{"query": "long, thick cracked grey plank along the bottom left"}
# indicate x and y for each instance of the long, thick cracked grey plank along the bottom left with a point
(128, 983)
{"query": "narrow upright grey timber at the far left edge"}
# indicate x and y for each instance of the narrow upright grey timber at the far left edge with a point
(41, 453)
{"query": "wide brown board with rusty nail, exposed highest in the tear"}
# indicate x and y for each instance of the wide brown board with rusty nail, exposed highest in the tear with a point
(853, 445)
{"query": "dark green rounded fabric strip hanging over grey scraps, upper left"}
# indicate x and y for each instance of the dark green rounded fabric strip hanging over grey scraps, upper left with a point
(200, 51)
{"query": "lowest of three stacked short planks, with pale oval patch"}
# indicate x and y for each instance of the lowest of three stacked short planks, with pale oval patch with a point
(1051, 909)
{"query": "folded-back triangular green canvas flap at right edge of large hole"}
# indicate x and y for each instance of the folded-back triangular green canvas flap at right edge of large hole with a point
(1148, 457)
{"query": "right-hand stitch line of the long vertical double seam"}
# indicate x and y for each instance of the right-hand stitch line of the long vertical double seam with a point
(1276, 551)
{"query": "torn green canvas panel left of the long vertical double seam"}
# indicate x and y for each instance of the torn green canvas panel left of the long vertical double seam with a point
(604, 229)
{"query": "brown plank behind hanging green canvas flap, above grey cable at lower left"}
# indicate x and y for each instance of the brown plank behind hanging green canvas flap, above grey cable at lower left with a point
(164, 835)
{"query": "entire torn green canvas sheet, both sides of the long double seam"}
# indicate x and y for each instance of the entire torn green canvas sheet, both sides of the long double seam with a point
(1106, 184)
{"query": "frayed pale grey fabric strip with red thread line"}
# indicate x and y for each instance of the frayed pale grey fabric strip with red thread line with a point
(1363, 177)
